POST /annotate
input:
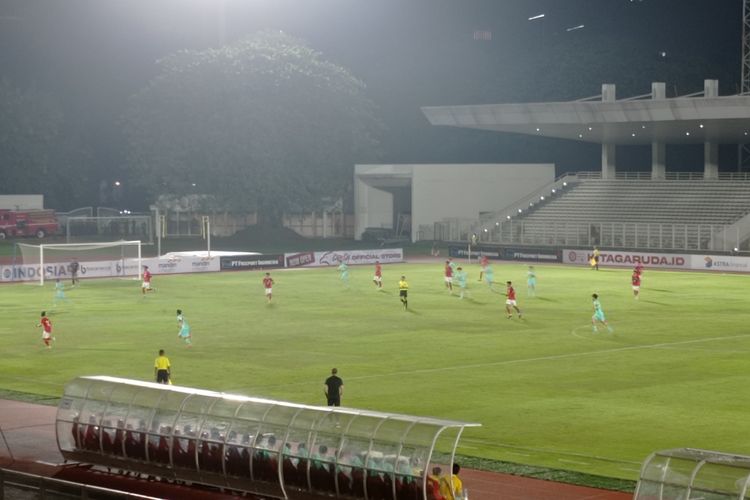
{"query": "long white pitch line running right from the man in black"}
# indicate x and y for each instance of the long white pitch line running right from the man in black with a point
(555, 357)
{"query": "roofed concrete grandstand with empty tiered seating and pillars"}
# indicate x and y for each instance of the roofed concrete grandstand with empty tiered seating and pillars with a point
(645, 210)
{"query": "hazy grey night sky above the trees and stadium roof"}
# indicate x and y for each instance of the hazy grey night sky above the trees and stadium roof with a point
(91, 55)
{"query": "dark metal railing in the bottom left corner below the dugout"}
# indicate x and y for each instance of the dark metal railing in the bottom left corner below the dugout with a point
(14, 484)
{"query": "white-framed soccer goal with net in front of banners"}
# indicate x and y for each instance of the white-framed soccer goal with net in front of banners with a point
(38, 263)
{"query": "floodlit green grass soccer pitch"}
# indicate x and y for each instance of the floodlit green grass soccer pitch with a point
(547, 390)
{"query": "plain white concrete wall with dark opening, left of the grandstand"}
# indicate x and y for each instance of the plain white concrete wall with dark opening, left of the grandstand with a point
(442, 191)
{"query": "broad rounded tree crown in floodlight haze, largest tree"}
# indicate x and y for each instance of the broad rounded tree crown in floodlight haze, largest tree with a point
(264, 124)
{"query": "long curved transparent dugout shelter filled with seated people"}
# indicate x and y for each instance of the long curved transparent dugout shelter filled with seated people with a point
(261, 446)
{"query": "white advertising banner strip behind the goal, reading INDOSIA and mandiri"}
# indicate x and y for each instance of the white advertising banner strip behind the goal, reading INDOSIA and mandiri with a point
(109, 268)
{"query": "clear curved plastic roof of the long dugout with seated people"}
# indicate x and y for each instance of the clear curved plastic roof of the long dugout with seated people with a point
(103, 399)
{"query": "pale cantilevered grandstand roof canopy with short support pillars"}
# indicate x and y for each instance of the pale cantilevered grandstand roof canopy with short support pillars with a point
(700, 118)
